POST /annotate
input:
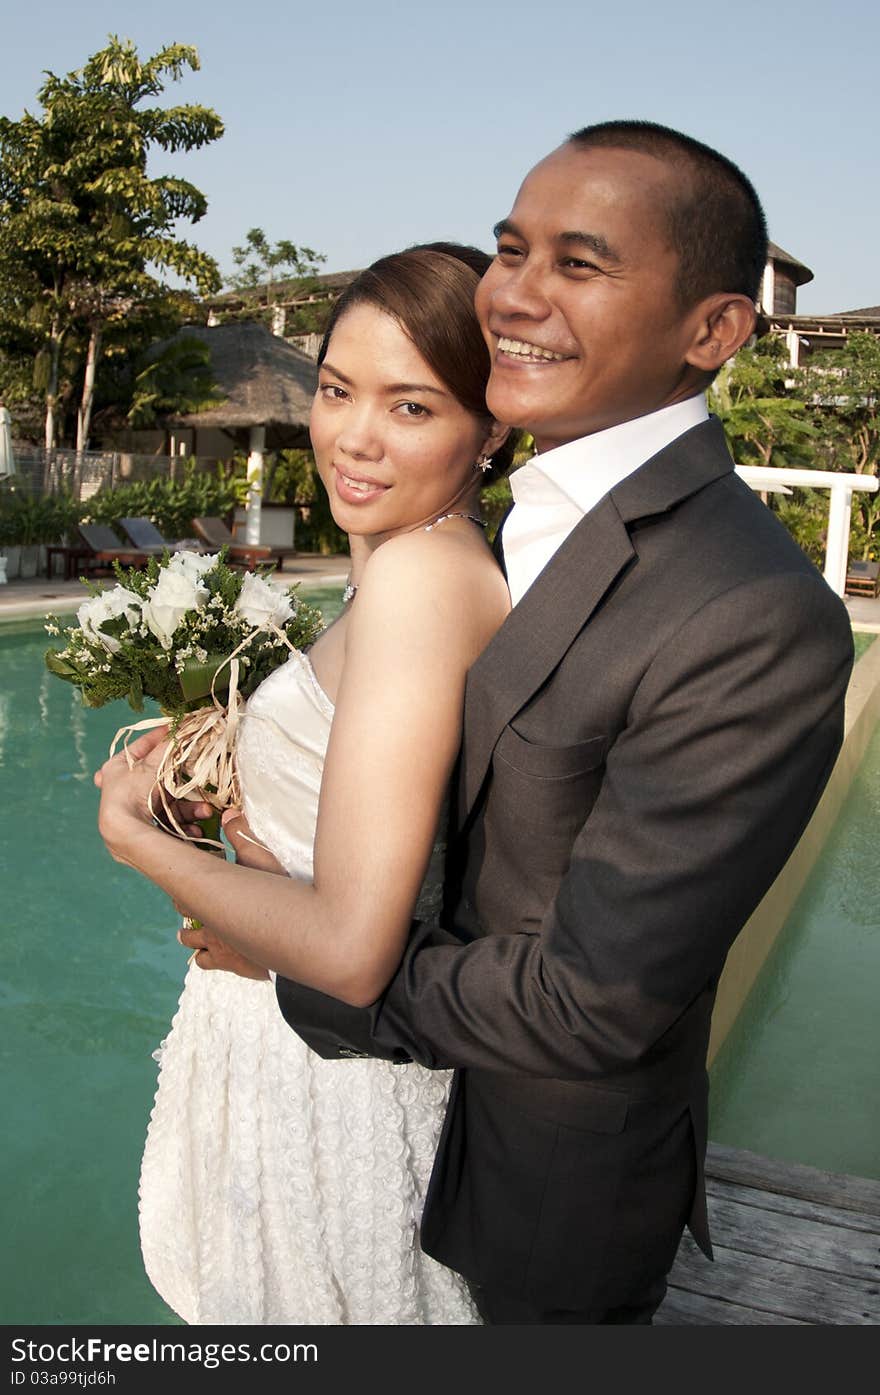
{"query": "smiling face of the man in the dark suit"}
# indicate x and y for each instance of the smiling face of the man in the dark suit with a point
(579, 308)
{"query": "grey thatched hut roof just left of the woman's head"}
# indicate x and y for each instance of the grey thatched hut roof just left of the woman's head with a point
(266, 382)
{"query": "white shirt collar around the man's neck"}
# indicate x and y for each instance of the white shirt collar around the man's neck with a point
(585, 471)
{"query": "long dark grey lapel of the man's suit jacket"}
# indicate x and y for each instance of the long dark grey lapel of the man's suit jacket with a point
(559, 605)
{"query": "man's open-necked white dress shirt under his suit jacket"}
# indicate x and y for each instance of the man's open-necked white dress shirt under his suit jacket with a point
(553, 492)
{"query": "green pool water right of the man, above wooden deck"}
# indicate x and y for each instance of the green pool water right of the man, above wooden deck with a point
(797, 1078)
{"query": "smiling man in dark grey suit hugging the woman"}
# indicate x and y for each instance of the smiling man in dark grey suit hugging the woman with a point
(645, 740)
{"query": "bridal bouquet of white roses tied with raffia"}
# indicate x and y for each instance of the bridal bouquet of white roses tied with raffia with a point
(199, 638)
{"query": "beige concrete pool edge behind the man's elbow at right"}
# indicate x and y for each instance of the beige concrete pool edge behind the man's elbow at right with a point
(761, 931)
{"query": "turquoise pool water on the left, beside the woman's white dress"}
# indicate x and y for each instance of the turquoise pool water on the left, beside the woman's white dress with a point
(90, 980)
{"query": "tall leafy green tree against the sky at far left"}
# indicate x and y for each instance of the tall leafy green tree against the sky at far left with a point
(83, 227)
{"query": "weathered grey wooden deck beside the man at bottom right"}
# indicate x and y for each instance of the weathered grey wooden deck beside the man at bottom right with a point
(794, 1246)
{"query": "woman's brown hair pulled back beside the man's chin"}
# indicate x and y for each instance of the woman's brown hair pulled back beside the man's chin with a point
(430, 292)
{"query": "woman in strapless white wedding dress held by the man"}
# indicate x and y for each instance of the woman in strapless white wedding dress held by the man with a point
(280, 1188)
